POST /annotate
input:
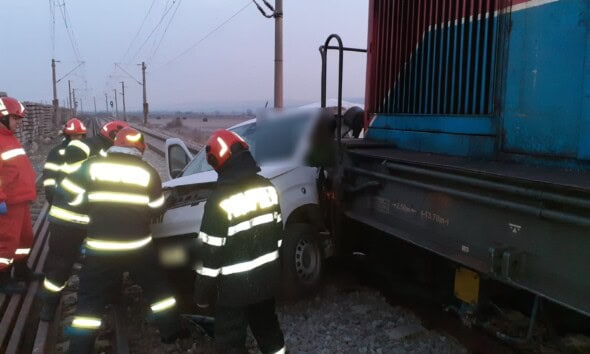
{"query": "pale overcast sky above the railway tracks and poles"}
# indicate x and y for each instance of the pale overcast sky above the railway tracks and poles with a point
(200, 54)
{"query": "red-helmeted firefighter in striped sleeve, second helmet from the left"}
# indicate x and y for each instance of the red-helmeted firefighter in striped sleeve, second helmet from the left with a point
(73, 130)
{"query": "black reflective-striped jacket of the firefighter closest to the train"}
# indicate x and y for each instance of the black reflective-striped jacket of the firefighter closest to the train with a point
(240, 235)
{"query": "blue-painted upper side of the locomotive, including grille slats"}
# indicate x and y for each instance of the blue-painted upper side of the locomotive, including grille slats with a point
(537, 86)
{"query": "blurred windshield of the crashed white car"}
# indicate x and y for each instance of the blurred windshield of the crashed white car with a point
(269, 140)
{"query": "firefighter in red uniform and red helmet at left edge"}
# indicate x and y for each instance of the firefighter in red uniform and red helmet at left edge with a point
(17, 191)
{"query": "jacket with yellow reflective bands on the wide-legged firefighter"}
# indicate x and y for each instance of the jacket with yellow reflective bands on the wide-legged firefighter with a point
(120, 193)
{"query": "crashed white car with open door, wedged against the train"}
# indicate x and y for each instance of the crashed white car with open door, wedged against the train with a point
(288, 147)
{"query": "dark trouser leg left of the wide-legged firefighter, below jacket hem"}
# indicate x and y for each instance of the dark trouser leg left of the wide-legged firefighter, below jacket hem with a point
(65, 243)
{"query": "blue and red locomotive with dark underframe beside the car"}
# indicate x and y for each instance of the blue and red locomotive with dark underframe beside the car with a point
(477, 143)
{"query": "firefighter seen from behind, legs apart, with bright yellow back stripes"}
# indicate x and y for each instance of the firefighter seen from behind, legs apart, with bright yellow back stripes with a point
(118, 193)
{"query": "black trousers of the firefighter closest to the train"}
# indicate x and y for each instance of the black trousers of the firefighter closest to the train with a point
(231, 324)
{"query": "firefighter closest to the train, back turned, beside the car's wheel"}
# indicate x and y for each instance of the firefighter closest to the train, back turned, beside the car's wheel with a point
(241, 234)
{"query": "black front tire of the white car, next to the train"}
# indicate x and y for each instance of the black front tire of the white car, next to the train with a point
(302, 261)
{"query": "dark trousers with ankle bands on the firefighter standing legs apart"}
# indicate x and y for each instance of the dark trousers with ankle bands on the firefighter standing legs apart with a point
(97, 279)
